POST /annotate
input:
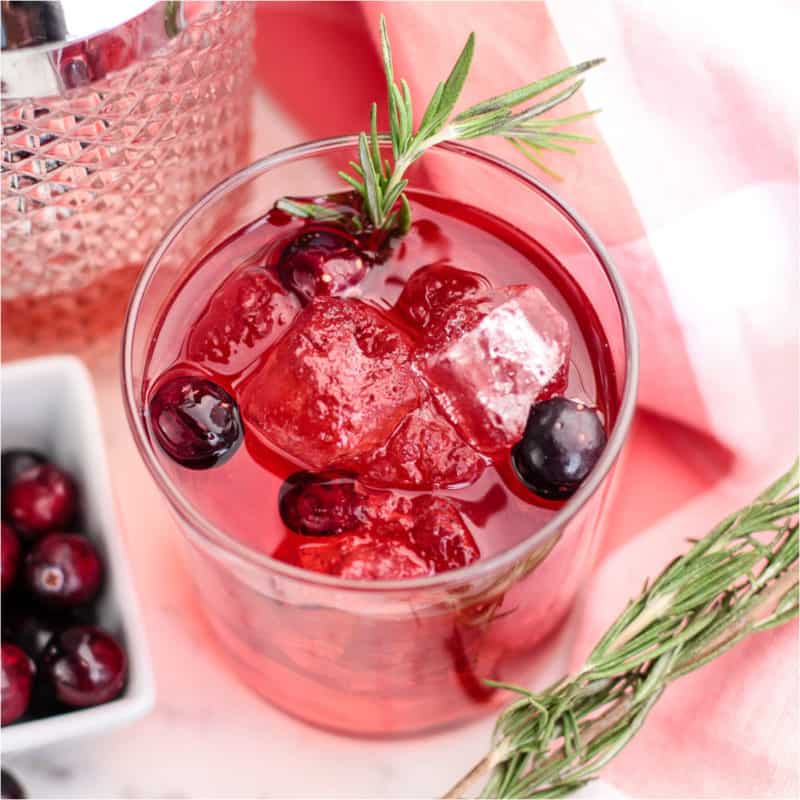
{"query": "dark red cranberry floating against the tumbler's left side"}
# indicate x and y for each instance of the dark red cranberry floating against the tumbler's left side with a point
(195, 421)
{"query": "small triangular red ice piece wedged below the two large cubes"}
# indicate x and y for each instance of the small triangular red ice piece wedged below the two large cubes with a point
(425, 452)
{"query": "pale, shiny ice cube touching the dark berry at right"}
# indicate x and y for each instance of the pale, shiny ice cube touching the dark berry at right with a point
(489, 359)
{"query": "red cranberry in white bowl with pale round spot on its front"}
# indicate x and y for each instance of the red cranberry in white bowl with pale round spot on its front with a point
(63, 569)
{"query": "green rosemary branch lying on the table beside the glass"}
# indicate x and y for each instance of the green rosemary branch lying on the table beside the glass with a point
(739, 579)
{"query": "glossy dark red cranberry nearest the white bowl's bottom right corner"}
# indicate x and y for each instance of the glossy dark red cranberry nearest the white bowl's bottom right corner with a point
(85, 666)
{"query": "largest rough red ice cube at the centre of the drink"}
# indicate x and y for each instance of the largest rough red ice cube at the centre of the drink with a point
(334, 387)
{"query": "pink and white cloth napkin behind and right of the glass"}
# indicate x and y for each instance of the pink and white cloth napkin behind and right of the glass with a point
(693, 187)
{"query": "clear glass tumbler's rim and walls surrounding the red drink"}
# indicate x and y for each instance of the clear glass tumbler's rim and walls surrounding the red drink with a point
(385, 657)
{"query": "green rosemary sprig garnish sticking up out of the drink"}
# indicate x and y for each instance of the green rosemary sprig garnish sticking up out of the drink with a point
(381, 183)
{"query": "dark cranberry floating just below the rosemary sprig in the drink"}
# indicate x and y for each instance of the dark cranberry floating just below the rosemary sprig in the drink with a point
(320, 262)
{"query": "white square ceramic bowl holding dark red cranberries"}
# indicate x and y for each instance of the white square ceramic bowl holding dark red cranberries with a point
(74, 657)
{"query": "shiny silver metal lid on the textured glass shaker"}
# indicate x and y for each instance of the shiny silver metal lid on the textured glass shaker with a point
(53, 46)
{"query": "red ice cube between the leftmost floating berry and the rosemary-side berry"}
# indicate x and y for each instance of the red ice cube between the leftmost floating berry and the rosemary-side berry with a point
(244, 316)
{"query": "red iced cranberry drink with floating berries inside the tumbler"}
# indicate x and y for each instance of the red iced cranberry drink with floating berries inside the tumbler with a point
(370, 394)
